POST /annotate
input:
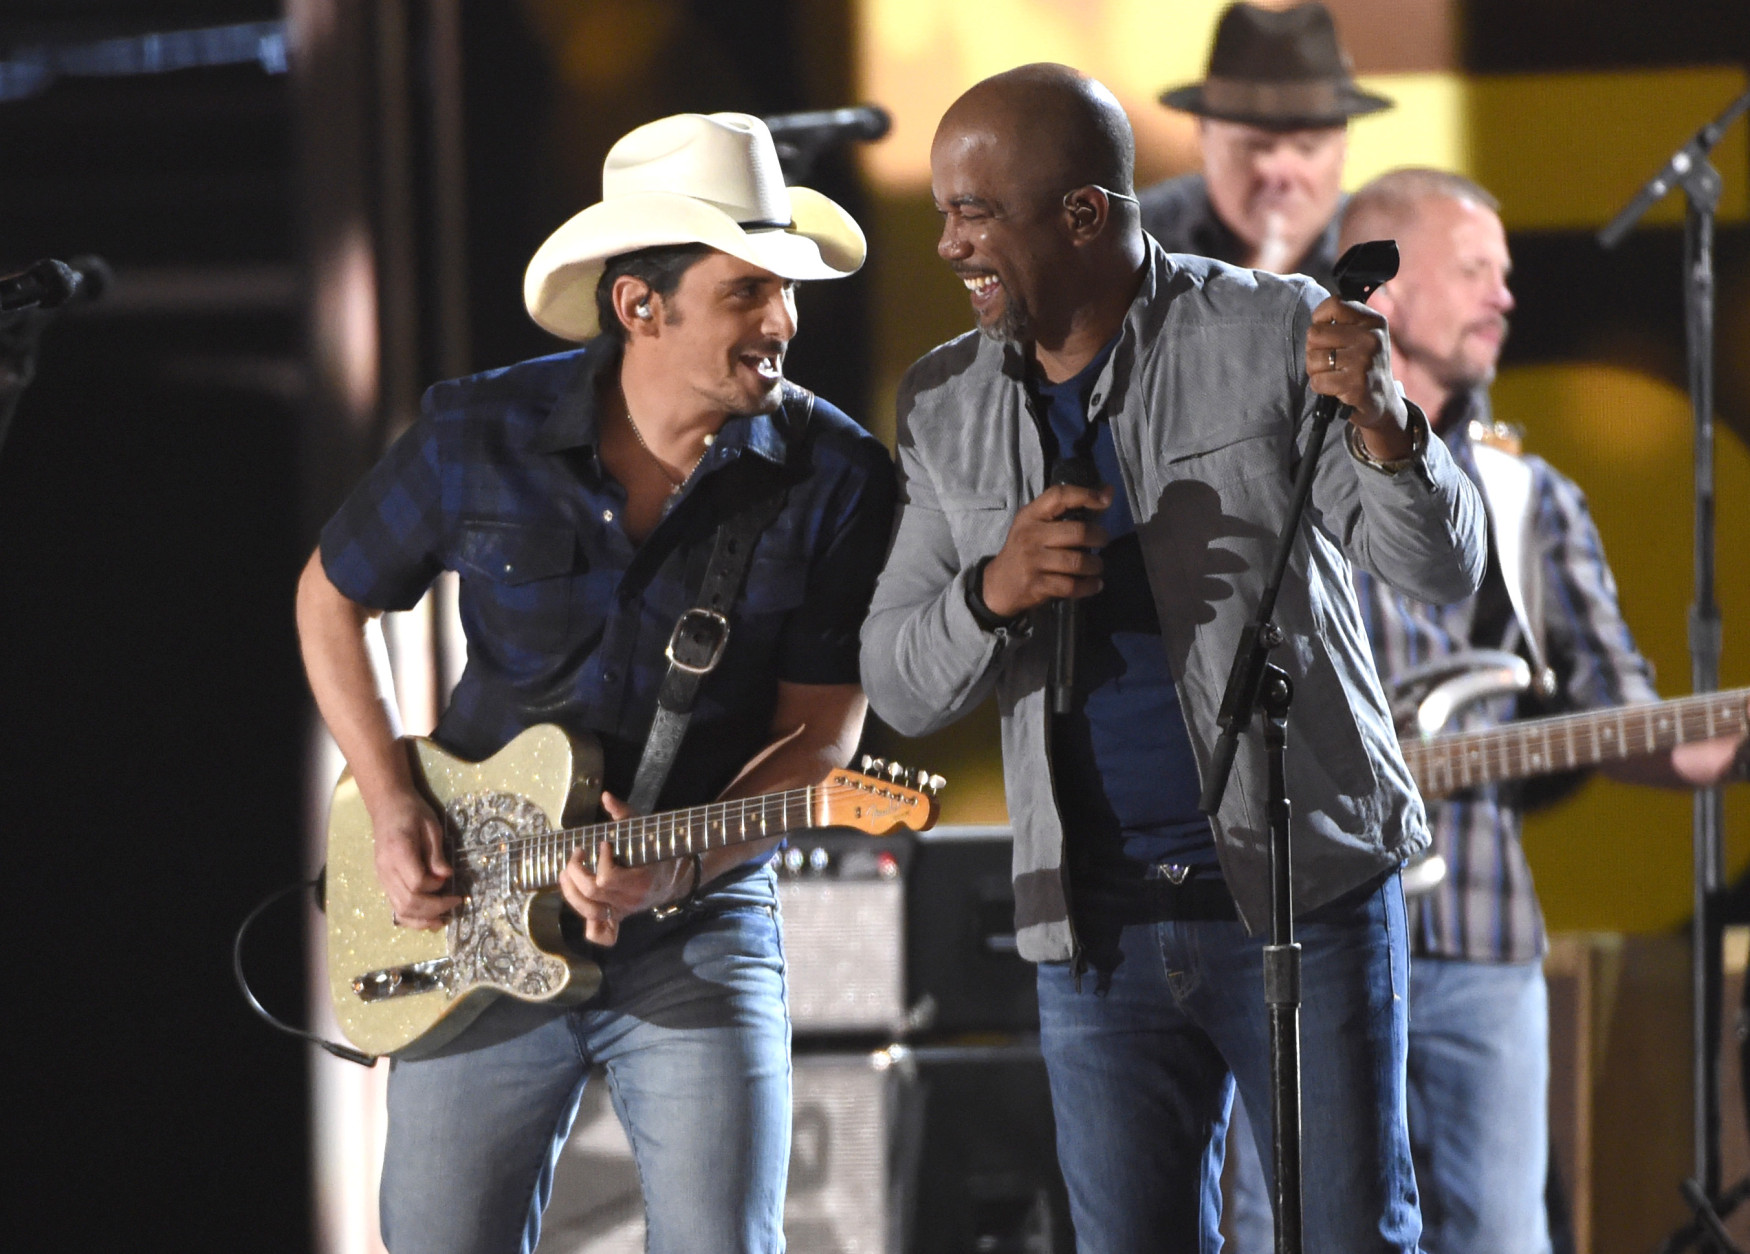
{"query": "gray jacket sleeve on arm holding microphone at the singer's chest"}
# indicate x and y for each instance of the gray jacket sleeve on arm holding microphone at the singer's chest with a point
(927, 662)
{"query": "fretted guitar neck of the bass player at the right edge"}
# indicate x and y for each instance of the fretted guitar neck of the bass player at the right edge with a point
(1518, 751)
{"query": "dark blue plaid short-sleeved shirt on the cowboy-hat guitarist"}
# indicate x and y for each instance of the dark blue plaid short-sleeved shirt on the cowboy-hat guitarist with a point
(566, 618)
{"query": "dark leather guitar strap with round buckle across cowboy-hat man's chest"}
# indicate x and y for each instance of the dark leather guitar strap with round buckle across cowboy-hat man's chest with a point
(701, 636)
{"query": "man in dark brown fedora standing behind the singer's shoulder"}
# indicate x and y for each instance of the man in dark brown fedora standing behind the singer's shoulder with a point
(1273, 125)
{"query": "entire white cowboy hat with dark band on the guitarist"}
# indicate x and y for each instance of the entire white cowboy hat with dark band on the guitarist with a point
(690, 179)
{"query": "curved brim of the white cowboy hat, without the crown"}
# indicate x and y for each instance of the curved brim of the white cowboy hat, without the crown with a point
(559, 286)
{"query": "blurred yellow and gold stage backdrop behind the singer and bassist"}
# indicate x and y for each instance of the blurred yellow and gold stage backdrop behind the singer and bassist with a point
(1562, 151)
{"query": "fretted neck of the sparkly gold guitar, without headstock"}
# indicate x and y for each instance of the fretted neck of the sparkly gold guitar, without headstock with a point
(669, 835)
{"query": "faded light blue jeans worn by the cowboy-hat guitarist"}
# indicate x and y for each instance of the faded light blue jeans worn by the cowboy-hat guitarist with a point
(694, 1035)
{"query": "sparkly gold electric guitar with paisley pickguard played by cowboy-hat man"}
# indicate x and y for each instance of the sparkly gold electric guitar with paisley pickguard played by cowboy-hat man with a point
(512, 825)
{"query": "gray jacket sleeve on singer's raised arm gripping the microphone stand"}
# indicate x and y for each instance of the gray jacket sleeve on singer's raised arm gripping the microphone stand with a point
(1422, 531)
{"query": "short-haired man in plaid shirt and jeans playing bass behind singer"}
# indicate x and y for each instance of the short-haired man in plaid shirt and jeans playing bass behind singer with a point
(1480, 1017)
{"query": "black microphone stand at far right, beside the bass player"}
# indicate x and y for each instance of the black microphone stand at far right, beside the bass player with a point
(1691, 171)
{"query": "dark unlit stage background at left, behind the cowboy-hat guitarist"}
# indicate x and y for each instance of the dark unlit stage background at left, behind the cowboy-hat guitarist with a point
(158, 494)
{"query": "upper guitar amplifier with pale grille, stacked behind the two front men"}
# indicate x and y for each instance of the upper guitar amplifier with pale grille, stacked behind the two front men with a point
(904, 938)
